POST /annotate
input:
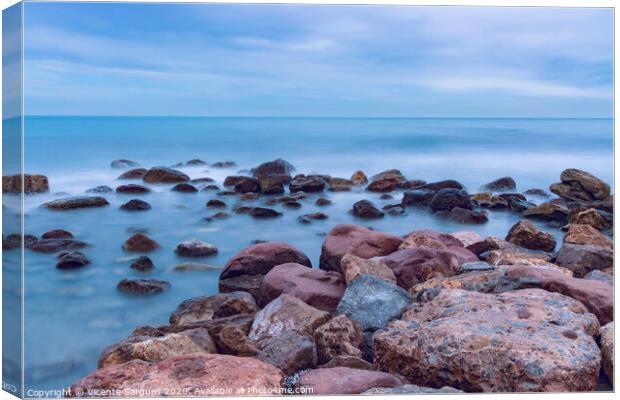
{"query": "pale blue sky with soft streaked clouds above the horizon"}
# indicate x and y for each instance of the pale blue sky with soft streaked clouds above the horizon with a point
(296, 60)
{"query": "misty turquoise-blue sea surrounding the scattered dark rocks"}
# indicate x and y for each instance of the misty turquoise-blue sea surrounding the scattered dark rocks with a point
(70, 316)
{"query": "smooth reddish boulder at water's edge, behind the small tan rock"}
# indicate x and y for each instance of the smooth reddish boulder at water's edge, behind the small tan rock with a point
(357, 240)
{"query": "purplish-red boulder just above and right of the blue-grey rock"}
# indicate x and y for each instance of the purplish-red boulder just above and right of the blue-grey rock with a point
(418, 264)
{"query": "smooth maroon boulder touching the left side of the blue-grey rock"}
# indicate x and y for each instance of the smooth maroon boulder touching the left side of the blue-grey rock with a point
(318, 288)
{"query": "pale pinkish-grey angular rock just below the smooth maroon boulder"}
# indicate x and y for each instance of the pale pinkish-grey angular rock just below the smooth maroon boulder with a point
(285, 314)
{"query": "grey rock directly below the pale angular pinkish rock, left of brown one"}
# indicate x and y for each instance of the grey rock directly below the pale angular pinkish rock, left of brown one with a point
(290, 352)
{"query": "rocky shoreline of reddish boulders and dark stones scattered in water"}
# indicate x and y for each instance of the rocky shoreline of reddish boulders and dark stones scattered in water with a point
(426, 312)
